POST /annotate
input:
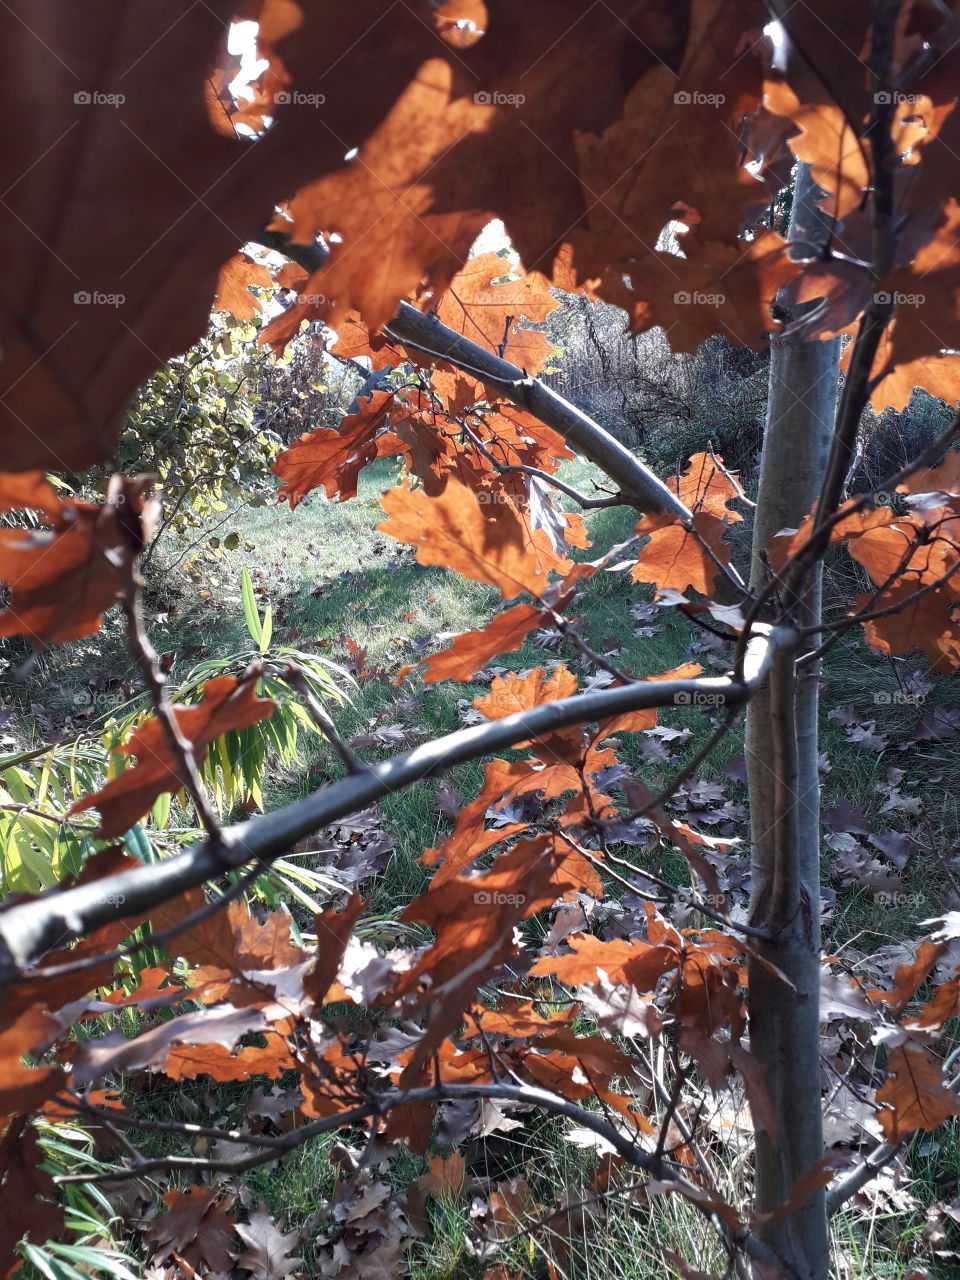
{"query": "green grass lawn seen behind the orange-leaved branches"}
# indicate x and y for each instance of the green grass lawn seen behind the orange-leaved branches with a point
(341, 589)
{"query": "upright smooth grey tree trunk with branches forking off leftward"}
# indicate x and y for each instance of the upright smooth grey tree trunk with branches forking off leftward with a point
(784, 785)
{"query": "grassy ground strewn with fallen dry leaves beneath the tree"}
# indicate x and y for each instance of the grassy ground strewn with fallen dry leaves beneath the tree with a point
(340, 588)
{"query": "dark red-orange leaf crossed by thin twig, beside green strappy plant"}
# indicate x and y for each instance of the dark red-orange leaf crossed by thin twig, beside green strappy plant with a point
(228, 703)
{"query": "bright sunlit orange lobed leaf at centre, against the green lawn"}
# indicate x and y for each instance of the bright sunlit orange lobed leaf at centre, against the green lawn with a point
(460, 533)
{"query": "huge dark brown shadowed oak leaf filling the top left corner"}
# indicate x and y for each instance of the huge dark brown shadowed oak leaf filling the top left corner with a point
(95, 303)
